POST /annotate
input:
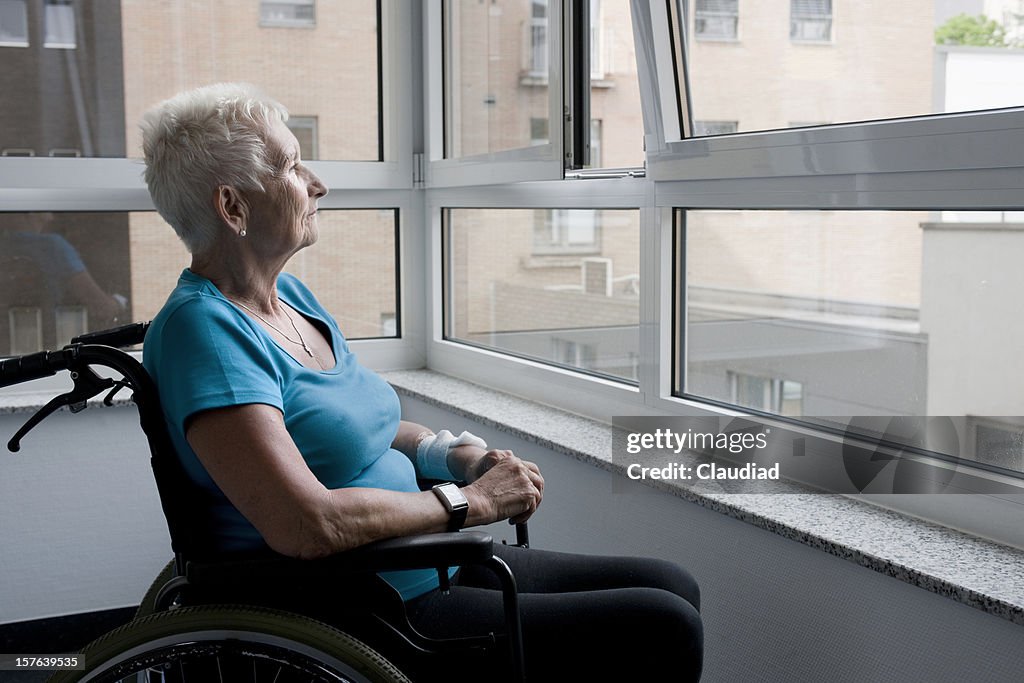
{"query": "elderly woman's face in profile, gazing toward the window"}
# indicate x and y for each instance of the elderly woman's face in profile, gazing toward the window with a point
(283, 220)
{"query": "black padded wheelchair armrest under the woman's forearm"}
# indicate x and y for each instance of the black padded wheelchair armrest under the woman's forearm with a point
(428, 551)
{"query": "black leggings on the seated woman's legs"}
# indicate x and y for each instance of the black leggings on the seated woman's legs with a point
(584, 618)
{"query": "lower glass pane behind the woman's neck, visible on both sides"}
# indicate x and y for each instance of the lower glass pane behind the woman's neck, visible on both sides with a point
(64, 274)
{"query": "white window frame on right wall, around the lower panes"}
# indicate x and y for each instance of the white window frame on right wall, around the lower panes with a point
(910, 163)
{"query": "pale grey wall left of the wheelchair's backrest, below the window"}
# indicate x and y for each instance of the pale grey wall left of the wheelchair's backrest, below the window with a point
(81, 528)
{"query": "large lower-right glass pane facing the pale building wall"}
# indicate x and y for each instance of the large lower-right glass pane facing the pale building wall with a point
(887, 314)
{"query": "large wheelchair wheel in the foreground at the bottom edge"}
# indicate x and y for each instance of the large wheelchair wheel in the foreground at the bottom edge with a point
(230, 644)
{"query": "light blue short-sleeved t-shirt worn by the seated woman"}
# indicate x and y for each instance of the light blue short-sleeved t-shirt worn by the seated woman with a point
(204, 353)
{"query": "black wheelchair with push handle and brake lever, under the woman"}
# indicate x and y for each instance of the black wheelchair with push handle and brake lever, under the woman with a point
(264, 617)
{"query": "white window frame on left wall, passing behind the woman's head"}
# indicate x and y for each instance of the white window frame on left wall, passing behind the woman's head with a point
(45, 184)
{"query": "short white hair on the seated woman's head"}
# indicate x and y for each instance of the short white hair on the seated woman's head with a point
(200, 140)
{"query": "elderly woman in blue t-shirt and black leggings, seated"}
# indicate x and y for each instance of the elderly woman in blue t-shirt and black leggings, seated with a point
(298, 448)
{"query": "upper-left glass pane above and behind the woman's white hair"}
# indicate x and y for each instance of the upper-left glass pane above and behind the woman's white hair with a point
(88, 101)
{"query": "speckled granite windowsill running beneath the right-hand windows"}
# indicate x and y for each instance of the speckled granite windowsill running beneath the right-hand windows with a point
(977, 573)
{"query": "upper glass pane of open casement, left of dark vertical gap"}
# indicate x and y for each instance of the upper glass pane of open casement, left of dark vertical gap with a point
(496, 86)
